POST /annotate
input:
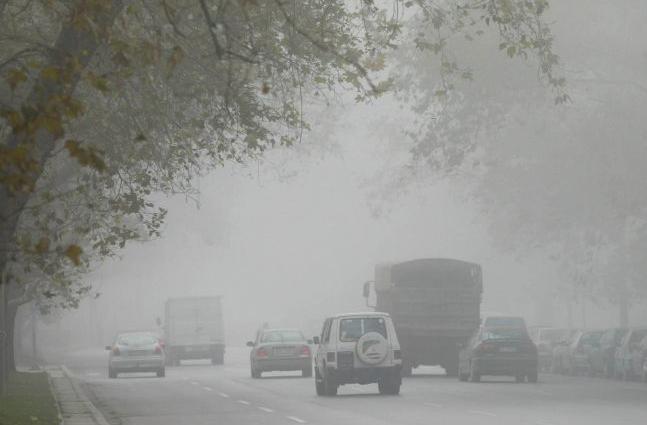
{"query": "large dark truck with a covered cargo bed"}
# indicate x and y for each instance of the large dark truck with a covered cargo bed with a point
(435, 305)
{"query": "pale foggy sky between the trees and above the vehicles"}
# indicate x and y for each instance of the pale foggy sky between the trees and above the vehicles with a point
(290, 240)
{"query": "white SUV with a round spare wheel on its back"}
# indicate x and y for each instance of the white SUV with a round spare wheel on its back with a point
(358, 348)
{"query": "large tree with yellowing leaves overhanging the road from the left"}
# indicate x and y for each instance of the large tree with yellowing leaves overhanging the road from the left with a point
(104, 102)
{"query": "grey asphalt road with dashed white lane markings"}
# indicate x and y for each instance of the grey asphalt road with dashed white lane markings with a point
(198, 393)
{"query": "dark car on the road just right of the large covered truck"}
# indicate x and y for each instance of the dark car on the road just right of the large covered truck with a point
(499, 351)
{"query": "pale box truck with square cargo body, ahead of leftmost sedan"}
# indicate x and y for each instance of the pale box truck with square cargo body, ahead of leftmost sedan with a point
(194, 329)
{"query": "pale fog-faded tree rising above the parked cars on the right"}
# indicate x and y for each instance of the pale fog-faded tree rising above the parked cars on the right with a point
(565, 182)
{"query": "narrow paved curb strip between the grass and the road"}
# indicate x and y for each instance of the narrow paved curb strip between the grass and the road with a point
(74, 405)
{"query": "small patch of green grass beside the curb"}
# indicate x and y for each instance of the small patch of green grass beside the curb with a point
(28, 401)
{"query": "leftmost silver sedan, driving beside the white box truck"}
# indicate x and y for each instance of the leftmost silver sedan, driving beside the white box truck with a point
(136, 352)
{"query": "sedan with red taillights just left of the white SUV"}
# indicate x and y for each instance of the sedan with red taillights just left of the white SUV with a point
(280, 350)
